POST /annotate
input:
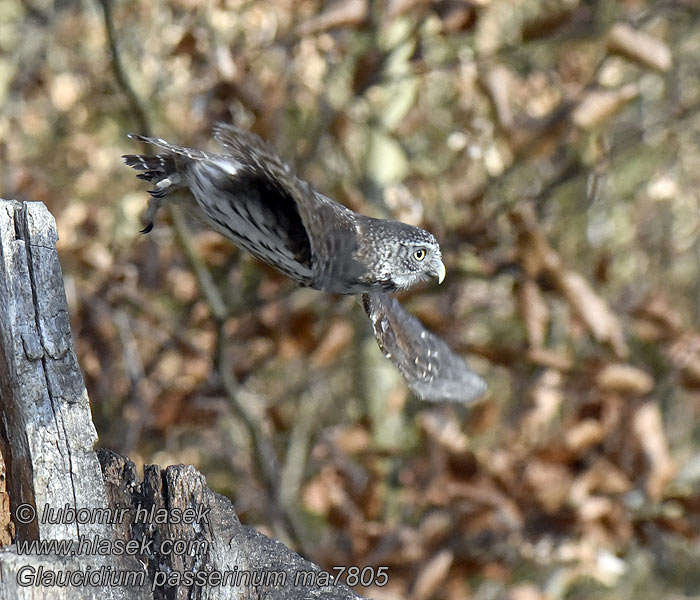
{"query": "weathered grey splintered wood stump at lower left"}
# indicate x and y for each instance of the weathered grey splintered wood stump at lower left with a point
(86, 527)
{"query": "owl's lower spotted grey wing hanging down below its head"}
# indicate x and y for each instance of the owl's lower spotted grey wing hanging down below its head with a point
(431, 369)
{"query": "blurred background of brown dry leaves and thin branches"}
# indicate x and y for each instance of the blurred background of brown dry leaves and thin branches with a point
(553, 148)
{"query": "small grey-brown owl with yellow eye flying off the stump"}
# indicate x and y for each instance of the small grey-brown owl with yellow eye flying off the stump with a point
(248, 194)
